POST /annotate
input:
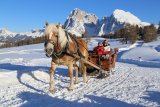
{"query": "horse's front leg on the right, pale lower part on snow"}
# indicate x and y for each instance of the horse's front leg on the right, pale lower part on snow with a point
(70, 69)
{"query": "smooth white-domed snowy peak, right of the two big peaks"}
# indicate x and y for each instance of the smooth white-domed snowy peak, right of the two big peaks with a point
(118, 20)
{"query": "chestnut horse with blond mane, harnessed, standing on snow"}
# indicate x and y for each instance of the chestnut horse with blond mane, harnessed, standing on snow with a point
(62, 47)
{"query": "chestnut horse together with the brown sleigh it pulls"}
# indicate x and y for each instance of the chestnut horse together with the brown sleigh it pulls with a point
(65, 49)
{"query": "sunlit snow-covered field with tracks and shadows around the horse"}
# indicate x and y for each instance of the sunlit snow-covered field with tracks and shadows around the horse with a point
(24, 79)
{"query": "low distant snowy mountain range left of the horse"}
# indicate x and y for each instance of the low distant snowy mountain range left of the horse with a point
(6, 35)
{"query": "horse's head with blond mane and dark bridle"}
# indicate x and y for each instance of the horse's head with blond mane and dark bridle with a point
(53, 34)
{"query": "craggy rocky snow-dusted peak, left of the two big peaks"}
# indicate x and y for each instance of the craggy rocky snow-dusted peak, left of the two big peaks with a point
(79, 21)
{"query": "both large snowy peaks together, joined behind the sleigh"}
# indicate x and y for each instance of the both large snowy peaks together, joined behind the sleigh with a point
(79, 21)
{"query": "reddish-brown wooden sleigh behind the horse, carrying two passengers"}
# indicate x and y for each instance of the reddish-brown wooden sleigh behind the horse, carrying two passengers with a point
(101, 66)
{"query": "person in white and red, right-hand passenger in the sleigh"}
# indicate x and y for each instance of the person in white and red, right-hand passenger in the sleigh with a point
(107, 49)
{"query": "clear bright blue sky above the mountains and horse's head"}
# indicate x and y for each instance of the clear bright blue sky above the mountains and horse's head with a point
(24, 15)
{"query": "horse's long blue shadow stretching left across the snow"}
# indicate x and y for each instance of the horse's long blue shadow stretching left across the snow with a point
(21, 69)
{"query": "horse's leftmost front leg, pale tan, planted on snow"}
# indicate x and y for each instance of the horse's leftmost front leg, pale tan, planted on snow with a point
(52, 83)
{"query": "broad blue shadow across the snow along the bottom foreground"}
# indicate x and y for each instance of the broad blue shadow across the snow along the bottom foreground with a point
(42, 100)
